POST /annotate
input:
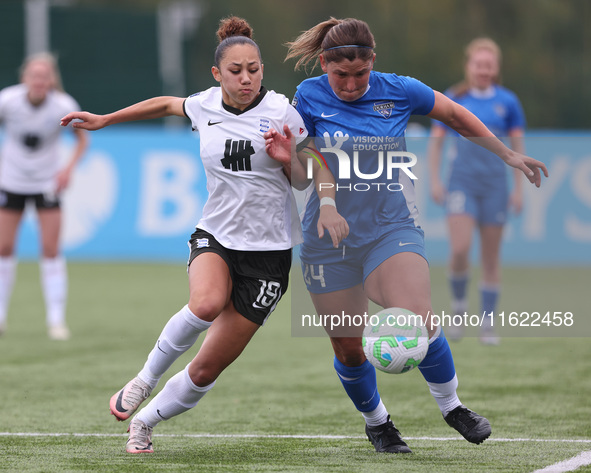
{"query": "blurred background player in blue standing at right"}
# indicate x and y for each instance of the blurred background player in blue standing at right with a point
(477, 192)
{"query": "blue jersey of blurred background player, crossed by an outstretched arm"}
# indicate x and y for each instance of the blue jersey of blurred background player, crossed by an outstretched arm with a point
(500, 110)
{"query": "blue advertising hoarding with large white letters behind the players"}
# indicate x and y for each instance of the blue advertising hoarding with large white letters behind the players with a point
(139, 191)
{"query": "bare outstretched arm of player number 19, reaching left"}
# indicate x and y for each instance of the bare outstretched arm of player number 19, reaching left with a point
(156, 107)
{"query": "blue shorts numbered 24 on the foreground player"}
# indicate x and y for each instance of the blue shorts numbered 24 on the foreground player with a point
(344, 267)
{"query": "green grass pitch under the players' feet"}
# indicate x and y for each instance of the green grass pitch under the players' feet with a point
(277, 407)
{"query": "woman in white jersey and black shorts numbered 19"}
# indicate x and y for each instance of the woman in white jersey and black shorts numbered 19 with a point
(240, 253)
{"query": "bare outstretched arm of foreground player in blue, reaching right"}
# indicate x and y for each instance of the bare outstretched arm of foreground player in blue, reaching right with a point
(469, 126)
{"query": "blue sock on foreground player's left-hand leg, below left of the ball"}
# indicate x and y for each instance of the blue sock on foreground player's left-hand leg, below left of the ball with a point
(360, 384)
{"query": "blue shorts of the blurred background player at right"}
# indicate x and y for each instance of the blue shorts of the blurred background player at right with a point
(487, 204)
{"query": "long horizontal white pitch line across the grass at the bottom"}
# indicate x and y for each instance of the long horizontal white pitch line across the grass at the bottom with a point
(281, 436)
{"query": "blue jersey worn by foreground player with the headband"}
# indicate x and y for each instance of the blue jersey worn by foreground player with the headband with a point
(360, 141)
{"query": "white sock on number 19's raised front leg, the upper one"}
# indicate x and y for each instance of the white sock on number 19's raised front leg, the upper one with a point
(179, 334)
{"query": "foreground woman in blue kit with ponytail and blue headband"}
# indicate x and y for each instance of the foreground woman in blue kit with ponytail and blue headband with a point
(351, 109)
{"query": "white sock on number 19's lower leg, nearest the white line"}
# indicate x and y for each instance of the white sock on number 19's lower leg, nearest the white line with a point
(178, 395)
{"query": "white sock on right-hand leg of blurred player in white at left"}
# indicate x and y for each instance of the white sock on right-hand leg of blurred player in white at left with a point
(54, 281)
